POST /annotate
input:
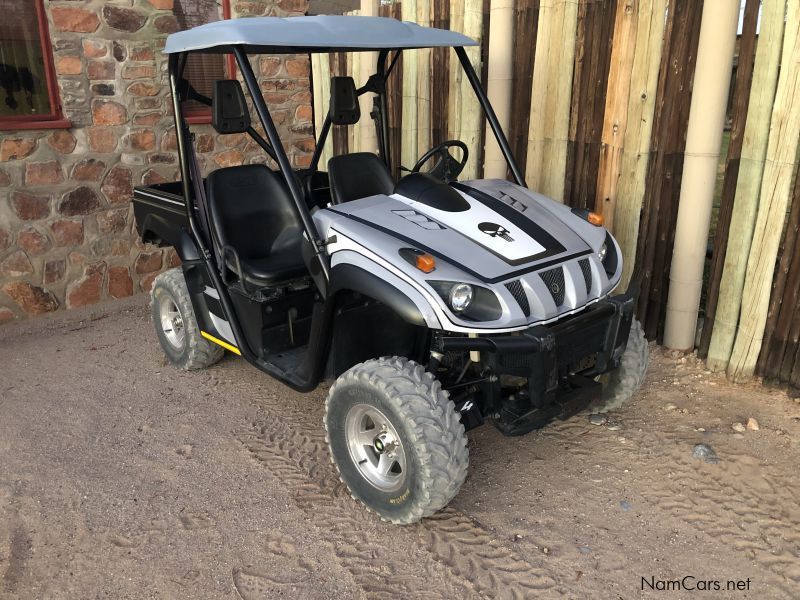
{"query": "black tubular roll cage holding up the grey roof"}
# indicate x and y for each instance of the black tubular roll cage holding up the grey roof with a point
(310, 373)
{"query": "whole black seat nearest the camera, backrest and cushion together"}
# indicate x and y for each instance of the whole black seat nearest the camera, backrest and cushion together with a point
(251, 211)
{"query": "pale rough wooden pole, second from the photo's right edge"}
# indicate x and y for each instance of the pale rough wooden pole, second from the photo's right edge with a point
(751, 169)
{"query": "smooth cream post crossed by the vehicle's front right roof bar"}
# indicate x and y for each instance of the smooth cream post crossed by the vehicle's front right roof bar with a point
(501, 64)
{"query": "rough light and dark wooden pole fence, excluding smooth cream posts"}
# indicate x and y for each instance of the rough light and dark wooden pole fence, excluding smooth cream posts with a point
(600, 97)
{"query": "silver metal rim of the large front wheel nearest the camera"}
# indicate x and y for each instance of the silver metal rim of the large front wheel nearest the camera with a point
(375, 447)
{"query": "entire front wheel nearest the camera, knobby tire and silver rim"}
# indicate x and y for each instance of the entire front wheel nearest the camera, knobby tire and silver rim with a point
(416, 414)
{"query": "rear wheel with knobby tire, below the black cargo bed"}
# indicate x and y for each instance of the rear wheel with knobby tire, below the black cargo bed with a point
(182, 343)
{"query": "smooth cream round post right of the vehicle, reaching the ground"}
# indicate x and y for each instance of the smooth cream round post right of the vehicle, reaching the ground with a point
(712, 81)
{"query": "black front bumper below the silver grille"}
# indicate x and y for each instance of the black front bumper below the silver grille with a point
(560, 362)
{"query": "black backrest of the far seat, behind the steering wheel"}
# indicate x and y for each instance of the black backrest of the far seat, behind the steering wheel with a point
(358, 175)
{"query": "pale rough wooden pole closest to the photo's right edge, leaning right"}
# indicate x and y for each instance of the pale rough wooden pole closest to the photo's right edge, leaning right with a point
(774, 198)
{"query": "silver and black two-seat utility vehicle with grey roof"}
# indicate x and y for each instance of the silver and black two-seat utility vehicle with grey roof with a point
(434, 304)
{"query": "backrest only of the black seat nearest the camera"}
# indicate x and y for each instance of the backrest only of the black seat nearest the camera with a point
(252, 210)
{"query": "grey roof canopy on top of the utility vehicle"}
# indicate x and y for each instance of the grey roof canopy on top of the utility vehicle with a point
(312, 34)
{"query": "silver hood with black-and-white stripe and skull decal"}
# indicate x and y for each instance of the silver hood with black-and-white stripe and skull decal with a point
(494, 233)
